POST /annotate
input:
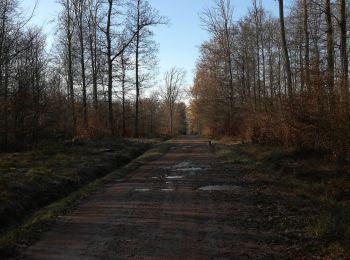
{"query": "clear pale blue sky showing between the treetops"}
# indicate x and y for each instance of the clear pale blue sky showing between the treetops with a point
(179, 41)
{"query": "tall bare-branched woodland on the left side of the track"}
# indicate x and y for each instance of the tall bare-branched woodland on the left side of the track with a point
(92, 82)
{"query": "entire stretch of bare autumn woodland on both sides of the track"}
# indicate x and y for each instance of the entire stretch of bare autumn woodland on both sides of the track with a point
(277, 80)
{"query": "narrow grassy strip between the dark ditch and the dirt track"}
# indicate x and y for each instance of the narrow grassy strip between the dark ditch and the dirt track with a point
(14, 242)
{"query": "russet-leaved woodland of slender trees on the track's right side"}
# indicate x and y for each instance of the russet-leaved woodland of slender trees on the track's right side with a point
(276, 80)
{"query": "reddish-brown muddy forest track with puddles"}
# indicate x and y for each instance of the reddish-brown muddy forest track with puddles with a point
(188, 204)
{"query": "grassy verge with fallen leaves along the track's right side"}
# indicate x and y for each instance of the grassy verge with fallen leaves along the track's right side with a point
(304, 175)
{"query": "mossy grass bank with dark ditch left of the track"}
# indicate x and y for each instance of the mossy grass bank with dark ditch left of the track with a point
(38, 186)
